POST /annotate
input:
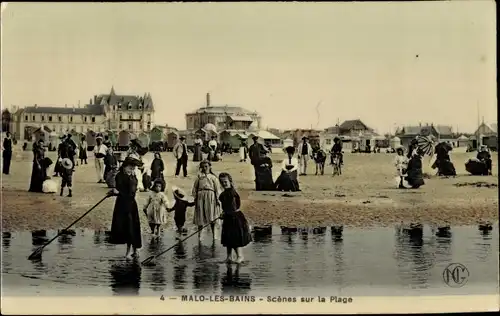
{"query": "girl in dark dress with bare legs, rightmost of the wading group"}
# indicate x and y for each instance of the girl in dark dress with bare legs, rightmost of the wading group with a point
(235, 229)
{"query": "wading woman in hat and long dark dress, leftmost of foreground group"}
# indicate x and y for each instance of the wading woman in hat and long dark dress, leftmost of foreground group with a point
(126, 226)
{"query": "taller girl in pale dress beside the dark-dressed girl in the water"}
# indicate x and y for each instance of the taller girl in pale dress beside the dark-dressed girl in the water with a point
(206, 191)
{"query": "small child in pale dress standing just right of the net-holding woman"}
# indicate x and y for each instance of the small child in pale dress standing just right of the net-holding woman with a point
(156, 208)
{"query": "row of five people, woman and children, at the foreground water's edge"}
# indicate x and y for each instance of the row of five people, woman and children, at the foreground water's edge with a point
(215, 198)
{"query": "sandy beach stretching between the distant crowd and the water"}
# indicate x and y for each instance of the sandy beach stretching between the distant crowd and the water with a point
(364, 195)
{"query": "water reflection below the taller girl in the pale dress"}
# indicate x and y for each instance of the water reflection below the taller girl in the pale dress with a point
(206, 270)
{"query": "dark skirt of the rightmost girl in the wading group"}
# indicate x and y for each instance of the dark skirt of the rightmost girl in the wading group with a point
(235, 230)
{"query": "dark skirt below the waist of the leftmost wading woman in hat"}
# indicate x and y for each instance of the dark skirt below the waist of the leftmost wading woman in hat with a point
(126, 226)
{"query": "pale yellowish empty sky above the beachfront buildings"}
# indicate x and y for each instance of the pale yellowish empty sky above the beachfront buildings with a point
(300, 65)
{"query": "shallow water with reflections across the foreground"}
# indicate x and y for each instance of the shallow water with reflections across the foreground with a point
(355, 261)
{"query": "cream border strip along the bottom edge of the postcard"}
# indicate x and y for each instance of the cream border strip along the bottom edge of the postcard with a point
(151, 305)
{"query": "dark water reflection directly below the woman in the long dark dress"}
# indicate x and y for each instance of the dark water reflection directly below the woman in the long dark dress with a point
(125, 277)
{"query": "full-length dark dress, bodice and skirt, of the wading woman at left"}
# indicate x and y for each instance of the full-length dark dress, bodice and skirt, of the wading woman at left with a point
(126, 226)
